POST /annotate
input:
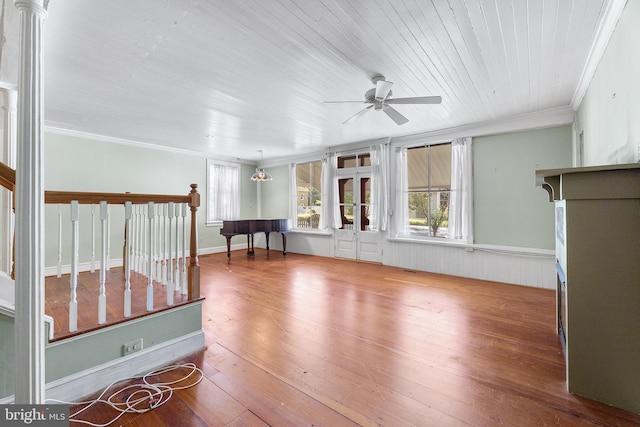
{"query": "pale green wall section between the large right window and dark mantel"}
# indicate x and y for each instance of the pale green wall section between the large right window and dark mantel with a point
(508, 208)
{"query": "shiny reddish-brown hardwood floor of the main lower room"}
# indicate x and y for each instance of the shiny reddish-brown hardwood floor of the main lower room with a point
(310, 341)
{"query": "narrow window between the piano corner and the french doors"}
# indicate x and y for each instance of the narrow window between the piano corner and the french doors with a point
(308, 194)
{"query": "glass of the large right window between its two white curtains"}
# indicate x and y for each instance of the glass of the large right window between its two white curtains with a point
(429, 187)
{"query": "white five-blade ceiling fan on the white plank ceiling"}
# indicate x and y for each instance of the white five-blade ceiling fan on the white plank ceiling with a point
(380, 99)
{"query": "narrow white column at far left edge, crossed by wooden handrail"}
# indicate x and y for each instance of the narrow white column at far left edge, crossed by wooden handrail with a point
(9, 158)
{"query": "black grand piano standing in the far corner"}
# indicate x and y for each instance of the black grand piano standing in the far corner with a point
(249, 227)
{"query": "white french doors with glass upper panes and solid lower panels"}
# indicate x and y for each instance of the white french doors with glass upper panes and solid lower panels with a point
(355, 240)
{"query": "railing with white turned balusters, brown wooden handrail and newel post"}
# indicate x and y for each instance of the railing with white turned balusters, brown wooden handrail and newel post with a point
(155, 241)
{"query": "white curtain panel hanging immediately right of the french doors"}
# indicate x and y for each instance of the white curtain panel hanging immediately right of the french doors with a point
(379, 203)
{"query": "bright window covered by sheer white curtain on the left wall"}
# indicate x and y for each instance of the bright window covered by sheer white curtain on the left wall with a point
(223, 191)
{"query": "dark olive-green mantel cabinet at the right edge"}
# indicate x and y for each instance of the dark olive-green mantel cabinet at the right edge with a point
(598, 252)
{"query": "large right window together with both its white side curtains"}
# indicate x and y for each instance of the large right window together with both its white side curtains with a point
(433, 185)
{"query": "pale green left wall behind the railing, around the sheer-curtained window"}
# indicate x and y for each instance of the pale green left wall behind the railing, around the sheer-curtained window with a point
(83, 164)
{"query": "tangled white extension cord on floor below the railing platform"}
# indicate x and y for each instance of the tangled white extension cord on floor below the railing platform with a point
(154, 393)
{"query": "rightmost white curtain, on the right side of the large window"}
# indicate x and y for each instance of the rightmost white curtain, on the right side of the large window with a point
(461, 198)
